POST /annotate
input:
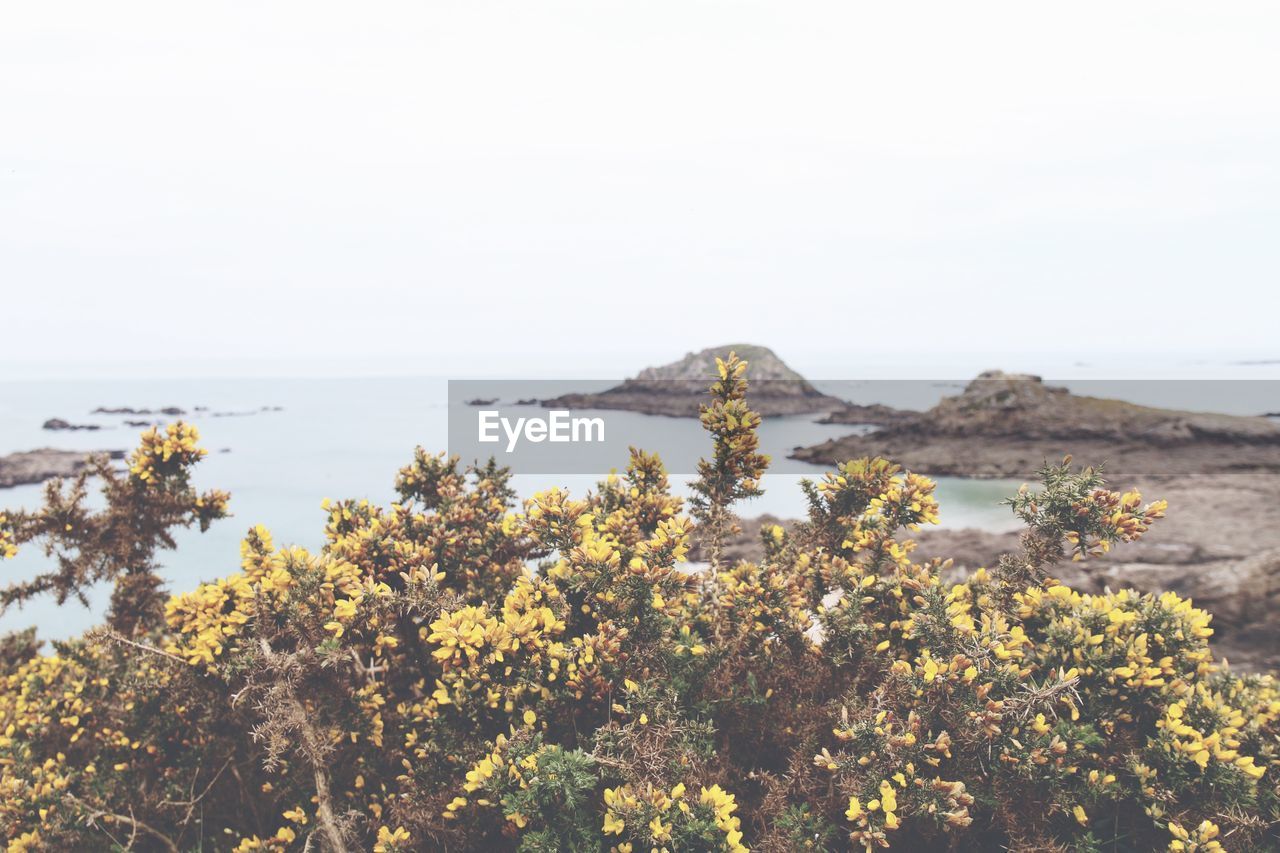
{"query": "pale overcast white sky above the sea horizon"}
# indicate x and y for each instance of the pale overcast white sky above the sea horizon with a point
(441, 188)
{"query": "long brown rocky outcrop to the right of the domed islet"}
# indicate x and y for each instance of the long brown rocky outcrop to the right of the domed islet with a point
(1011, 425)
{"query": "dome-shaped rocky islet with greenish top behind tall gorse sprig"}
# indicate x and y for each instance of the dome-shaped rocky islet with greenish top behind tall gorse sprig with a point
(679, 389)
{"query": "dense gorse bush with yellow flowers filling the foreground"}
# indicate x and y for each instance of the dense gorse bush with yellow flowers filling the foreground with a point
(450, 673)
